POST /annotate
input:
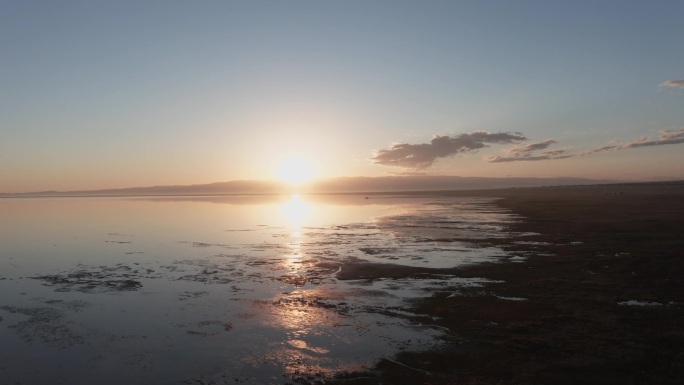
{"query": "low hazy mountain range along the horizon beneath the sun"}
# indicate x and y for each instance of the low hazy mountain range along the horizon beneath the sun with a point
(333, 185)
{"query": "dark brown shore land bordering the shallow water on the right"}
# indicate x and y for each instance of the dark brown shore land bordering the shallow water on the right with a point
(597, 299)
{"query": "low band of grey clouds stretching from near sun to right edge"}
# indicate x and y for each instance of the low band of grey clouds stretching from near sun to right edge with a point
(422, 156)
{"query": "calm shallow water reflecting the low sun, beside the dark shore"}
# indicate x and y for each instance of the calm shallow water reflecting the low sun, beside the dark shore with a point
(222, 289)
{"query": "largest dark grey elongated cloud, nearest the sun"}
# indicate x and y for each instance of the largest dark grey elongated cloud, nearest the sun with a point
(421, 156)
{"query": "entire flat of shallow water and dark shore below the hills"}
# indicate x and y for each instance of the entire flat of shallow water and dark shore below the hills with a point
(519, 286)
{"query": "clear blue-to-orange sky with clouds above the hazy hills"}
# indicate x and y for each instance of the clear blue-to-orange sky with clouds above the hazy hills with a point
(108, 94)
